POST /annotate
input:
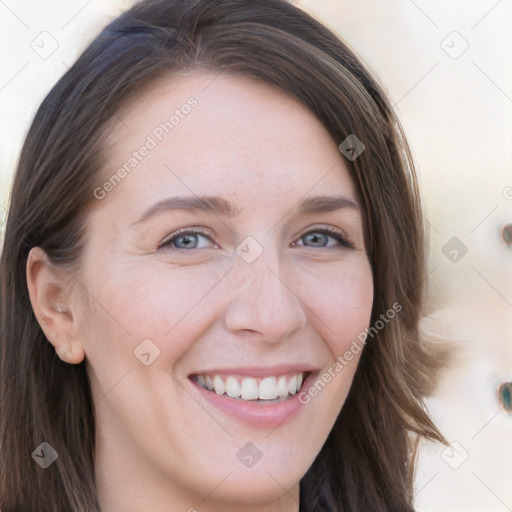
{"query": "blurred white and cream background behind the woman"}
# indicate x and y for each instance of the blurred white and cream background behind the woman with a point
(446, 65)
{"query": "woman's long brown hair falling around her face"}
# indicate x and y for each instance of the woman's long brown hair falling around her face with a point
(367, 462)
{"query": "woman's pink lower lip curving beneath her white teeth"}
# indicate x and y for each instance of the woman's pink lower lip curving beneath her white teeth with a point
(259, 414)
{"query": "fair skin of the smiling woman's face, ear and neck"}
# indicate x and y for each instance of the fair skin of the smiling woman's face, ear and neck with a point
(164, 443)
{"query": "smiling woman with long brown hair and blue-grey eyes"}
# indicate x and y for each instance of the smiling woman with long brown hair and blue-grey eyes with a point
(212, 276)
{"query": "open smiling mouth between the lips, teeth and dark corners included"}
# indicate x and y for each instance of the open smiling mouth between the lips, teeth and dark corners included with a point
(269, 389)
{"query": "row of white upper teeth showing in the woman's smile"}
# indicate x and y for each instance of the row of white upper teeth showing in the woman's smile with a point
(249, 388)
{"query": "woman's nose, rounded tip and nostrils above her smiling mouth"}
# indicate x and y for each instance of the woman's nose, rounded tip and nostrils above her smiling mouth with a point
(266, 301)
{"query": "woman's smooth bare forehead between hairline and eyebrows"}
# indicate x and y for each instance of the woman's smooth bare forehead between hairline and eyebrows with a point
(194, 133)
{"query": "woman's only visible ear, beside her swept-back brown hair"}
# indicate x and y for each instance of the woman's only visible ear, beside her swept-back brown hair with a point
(50, 290)
